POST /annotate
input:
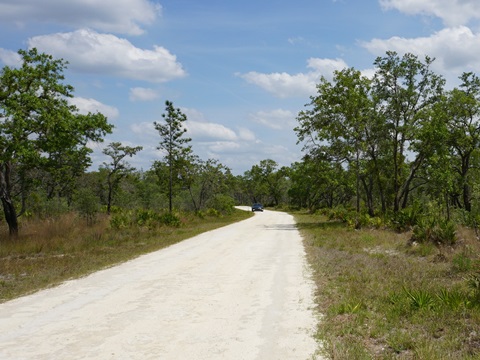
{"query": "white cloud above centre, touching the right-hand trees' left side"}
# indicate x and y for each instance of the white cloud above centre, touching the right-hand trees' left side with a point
(284, 85)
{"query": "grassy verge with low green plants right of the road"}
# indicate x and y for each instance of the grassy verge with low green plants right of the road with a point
(383, 297)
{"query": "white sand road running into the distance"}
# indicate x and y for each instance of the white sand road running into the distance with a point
(239, 292)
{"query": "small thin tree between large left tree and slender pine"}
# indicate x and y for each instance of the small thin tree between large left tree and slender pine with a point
(117, 168)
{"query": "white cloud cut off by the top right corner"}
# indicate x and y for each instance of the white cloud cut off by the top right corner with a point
(452, 12)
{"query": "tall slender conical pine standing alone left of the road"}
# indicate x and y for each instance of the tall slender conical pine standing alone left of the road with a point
(173, 143)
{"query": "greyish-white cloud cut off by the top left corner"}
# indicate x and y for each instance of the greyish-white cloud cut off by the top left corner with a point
(118, 16)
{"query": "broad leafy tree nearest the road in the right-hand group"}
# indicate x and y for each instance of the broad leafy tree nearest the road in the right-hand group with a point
(342, 115)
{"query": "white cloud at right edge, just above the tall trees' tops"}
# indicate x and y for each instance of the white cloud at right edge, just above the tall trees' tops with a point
(455, 49)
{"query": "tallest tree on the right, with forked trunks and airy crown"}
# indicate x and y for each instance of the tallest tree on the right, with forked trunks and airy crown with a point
(405, 89)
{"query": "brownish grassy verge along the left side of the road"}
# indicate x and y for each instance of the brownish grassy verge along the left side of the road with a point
(48, 252)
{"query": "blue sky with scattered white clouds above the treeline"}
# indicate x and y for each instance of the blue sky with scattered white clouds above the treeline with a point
(240, 70)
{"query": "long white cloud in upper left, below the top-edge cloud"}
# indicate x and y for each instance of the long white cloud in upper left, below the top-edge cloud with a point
(89, 51)
